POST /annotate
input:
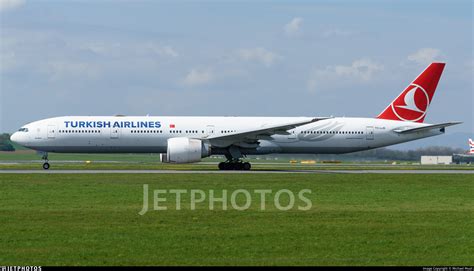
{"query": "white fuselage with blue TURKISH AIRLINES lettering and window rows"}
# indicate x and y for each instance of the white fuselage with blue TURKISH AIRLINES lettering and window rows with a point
(89, 134)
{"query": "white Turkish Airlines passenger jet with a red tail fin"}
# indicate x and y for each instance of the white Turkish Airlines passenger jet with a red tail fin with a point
(182, 139)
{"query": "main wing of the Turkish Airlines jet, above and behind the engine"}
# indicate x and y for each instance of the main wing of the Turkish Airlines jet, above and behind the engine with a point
(253, 135)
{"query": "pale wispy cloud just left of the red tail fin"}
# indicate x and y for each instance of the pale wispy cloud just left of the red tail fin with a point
(360, 71)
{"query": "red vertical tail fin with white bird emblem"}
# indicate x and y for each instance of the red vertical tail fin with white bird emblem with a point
(413, 102)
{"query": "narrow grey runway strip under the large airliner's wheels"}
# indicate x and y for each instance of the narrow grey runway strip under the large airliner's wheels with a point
(370, 171)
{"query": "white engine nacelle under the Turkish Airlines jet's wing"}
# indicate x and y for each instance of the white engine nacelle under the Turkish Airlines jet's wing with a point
(185, 150)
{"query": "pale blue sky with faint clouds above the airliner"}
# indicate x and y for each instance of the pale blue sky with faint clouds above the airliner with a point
(248, 58)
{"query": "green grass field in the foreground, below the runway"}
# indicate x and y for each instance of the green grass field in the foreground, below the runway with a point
(355, 220)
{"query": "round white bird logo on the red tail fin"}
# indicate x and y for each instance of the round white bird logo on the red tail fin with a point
(412, 104)
